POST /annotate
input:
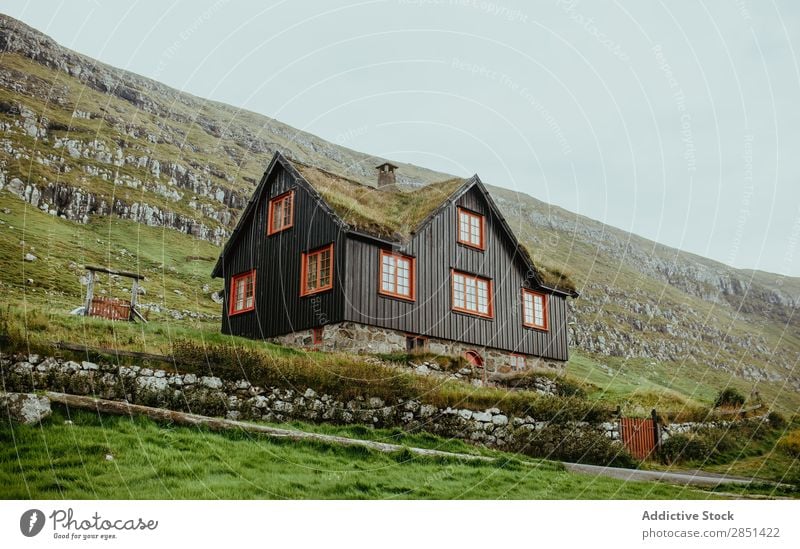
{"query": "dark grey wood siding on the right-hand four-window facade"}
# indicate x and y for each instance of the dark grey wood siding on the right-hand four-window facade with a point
(437, 252)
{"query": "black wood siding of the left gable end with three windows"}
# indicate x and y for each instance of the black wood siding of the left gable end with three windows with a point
(276, 258)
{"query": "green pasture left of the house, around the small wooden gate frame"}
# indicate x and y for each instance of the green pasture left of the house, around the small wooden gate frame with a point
(169, 260)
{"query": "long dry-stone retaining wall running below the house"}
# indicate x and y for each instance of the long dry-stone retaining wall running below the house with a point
(240, 399)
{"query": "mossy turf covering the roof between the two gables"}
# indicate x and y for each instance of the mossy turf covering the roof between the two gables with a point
(389, 213)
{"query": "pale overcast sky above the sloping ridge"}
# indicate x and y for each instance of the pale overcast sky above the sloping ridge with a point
(678, 121)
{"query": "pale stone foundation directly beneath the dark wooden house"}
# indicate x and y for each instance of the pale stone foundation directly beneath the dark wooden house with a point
(357, 338)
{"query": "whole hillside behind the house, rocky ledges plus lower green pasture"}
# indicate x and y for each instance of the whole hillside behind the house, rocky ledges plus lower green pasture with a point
(104, 166)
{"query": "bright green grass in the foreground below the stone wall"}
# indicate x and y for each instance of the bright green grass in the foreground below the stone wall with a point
(154, 461)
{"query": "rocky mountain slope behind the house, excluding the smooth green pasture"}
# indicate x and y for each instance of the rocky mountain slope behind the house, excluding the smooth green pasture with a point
(83, 140)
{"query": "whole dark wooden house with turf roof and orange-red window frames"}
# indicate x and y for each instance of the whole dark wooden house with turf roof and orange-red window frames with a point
(320, 260)
